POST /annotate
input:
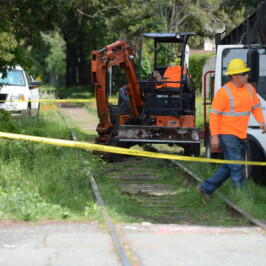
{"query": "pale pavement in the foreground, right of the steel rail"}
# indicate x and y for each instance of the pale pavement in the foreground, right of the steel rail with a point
(193, 245)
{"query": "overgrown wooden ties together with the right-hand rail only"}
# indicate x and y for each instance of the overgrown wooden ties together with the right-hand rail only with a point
(160, 200)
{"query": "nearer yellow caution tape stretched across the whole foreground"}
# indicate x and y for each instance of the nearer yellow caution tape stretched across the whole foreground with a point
(118, 150)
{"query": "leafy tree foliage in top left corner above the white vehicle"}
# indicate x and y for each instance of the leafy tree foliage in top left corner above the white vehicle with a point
(20, 25)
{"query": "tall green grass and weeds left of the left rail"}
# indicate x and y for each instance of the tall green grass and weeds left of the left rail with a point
(39, 181)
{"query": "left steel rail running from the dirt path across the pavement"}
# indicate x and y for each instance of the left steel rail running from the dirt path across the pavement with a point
(111, 228)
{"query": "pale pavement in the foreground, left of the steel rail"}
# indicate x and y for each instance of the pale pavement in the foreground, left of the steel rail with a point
(55, 244)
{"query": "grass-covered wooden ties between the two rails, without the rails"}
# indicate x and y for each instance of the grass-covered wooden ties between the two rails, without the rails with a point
(157, 197)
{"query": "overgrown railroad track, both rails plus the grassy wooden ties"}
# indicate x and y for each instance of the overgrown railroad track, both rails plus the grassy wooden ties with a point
(157, 198)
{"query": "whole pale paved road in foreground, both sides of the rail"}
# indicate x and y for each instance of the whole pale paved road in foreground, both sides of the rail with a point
(69, 243)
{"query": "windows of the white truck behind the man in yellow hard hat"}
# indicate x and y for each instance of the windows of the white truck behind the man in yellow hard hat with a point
(231, 53)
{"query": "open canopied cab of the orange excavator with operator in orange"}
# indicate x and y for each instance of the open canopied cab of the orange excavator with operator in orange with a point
(169, 50)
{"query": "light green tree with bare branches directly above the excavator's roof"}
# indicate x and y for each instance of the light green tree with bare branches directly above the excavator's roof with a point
(203, 17)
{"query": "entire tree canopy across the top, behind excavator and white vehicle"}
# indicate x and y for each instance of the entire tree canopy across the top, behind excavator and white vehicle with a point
(57, 36)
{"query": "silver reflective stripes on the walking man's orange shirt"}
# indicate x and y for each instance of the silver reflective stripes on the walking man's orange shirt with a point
(232, 105)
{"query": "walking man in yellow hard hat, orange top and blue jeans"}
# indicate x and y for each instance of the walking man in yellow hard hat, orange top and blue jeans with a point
(229, 116)
